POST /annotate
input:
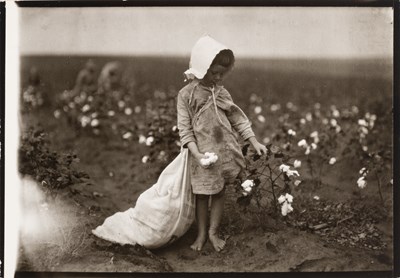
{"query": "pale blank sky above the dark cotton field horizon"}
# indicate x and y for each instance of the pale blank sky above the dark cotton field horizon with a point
(306, 32)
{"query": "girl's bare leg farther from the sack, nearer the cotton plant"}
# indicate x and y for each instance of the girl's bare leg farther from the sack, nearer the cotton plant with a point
(217, 208)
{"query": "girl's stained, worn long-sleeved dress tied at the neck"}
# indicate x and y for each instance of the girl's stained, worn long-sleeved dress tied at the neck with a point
(199, 122)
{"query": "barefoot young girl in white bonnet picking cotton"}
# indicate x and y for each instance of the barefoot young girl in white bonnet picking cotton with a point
(209, 121)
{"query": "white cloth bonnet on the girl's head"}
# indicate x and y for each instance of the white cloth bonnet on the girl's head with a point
(203, 53)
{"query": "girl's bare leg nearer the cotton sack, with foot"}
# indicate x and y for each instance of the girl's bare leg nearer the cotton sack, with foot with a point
(201, 218)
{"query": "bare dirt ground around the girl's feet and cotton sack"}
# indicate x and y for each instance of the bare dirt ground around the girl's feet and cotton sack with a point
(118, 177)
